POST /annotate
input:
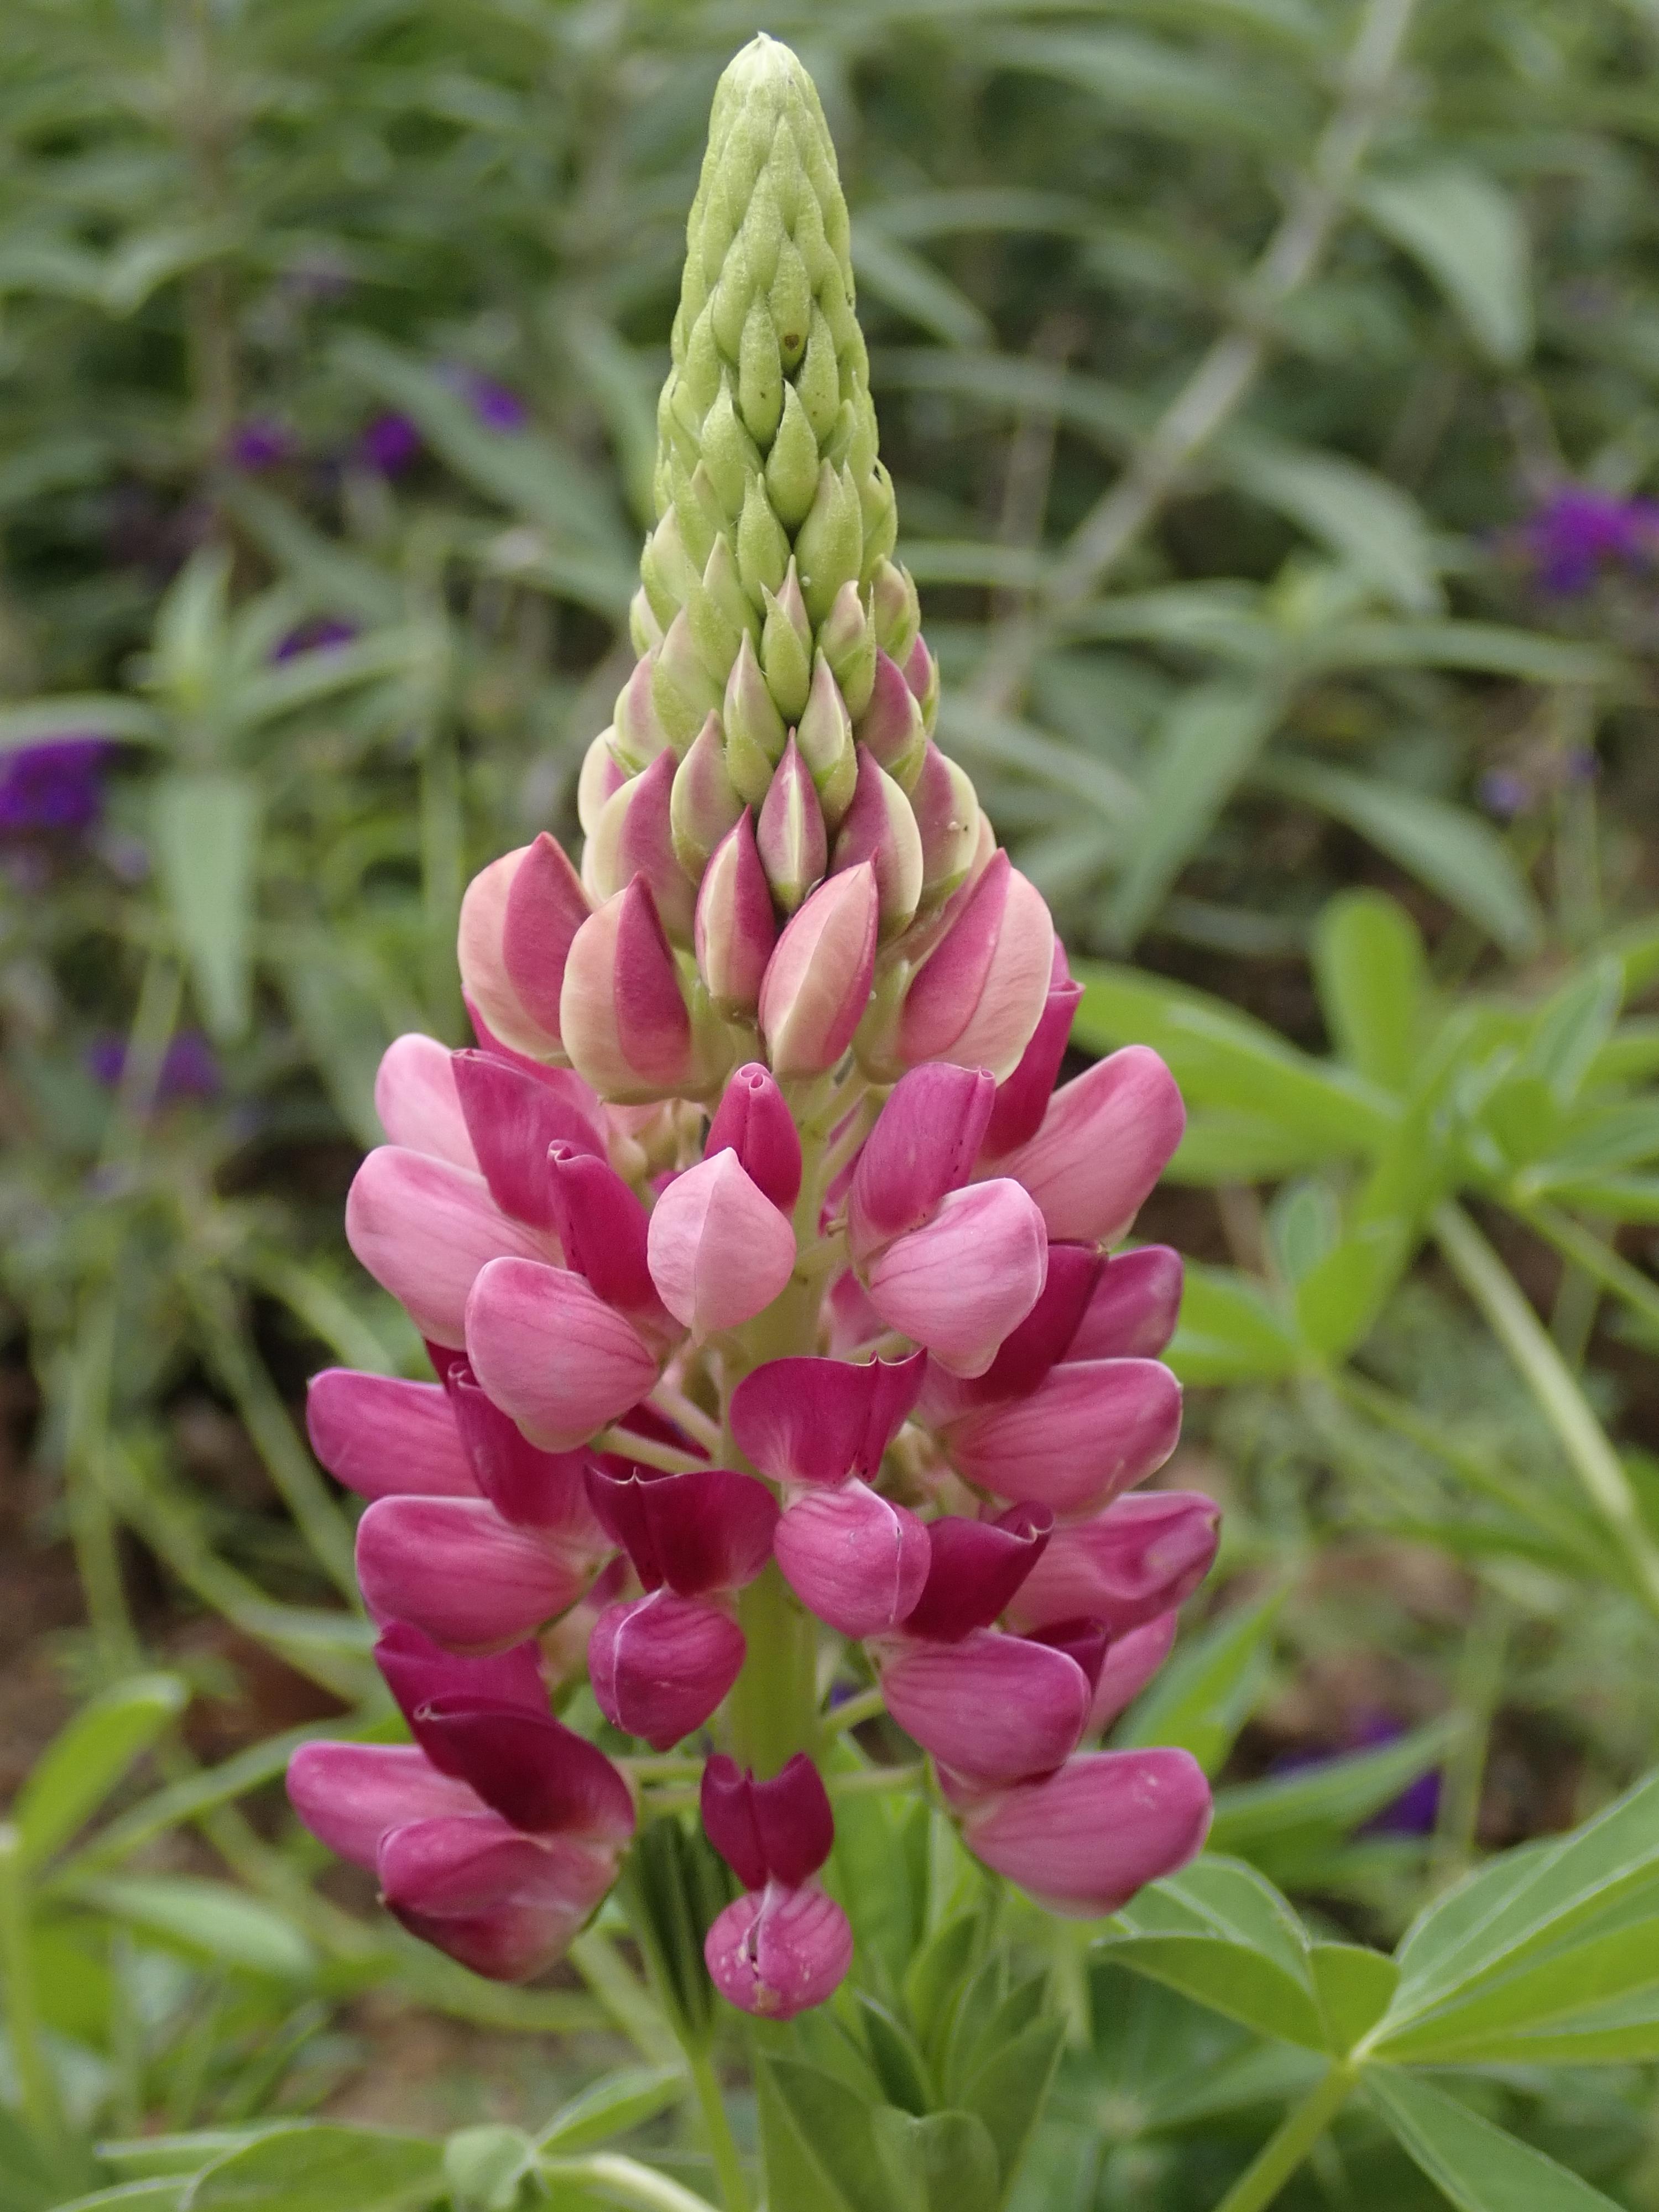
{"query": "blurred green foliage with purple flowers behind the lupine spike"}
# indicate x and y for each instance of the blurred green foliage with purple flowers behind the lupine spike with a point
(1273, 395)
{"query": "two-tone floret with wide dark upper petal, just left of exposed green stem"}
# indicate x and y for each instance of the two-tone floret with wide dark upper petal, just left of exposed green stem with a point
(662, 1662)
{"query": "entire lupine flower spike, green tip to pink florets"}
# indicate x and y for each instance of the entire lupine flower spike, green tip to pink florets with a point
(769, 1282)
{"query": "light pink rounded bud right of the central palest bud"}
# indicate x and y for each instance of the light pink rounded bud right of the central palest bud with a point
(968, 1277)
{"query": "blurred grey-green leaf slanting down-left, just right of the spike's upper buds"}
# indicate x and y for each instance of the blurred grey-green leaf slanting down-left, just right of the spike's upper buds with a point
(1196, 764)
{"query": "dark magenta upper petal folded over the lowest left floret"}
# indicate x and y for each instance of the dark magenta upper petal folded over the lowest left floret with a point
(530, 1768)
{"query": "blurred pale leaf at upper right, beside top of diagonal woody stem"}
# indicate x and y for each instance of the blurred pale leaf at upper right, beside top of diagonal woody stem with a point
(1470, 238)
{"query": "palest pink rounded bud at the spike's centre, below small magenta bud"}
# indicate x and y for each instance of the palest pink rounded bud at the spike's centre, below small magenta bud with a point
(720, 1249)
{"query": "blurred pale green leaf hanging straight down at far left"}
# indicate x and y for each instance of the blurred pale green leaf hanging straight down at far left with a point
(207, 831)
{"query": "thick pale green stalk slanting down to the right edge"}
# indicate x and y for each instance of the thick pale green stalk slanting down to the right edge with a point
(1554, 1386)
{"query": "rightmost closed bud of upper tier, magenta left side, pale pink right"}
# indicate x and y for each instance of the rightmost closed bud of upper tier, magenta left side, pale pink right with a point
(981, 994)
